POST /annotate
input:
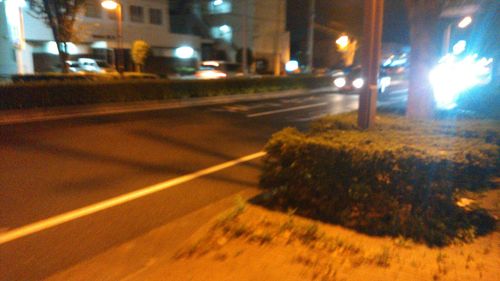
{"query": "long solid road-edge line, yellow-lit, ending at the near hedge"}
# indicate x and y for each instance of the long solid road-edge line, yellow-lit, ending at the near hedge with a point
(118, 200)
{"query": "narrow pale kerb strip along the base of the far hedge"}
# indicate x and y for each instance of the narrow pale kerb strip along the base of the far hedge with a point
(58, 113)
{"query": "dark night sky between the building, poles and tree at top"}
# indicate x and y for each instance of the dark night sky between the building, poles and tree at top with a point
(346, 15)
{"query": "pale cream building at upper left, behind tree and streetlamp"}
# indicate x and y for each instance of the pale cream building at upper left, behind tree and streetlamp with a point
(27, 44)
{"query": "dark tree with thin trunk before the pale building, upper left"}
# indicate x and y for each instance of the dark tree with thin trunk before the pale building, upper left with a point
(60, 16)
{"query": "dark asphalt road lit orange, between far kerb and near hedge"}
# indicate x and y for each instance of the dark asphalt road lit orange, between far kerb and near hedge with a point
(54, 167)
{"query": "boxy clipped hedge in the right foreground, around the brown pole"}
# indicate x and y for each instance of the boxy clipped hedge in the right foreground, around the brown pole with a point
(401, 178)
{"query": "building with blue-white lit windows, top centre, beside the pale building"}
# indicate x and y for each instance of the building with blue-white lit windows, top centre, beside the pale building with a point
(260, 25)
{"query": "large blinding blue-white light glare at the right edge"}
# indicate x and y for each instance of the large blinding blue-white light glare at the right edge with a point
(452, 76)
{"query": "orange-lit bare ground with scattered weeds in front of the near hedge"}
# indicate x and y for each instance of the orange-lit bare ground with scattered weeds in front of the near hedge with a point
(252, 243)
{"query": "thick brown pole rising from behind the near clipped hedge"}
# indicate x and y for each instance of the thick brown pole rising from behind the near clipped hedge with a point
(372, 45)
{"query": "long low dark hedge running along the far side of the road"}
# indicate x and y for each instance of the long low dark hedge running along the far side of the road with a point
(47, 94)
